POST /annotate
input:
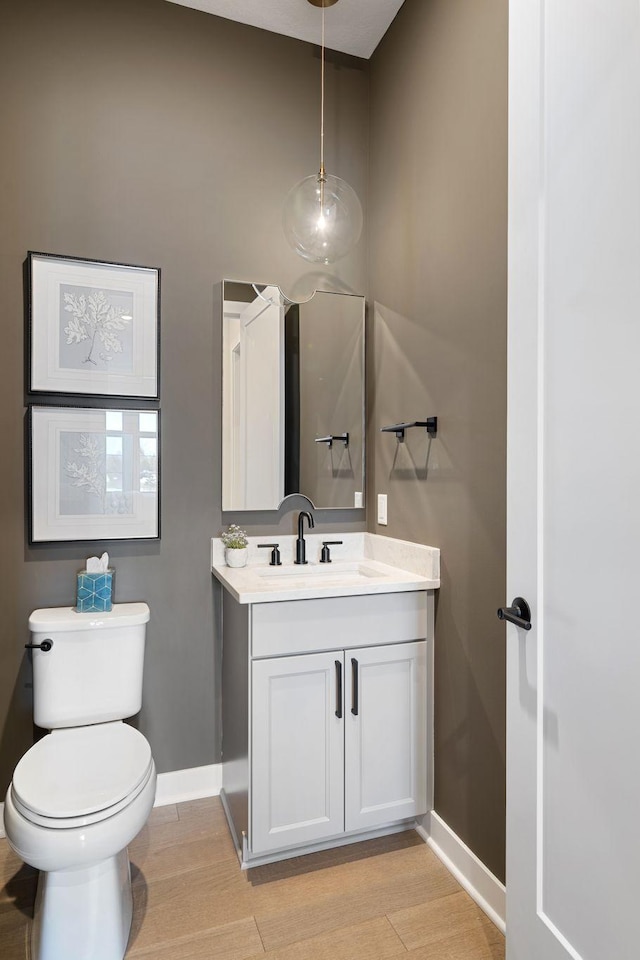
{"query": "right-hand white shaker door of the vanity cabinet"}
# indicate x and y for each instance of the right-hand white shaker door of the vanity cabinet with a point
(385, 734)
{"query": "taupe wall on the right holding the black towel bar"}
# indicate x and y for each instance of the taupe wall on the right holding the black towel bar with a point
(438, 206)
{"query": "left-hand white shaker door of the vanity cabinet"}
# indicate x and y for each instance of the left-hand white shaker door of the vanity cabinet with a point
(297, 750)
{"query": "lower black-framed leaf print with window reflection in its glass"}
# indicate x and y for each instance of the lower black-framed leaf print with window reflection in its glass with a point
(94, 474)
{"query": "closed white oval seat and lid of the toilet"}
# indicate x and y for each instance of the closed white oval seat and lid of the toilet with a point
(82, 775)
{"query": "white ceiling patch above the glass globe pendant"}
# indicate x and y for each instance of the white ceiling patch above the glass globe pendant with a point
(351, 26)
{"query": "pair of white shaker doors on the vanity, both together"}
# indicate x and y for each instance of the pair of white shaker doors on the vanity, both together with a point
(330, 757)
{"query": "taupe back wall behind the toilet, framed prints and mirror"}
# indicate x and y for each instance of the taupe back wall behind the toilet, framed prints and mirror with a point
(142, 132)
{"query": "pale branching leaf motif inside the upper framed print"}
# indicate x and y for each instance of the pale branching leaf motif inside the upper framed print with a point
(94, 318)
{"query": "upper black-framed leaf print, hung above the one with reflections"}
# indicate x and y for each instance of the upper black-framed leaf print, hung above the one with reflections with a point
(93, 327)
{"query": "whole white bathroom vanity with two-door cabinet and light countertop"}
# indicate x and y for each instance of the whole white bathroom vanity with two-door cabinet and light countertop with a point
(327, 706)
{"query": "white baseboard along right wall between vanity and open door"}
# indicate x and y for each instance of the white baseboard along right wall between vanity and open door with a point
(487, 891)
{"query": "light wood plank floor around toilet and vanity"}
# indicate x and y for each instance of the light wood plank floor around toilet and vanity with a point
(379, 900)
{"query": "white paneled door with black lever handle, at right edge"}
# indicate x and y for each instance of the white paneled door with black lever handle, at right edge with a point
(573, 709)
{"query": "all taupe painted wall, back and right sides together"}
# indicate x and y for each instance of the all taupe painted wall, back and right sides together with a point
(143, 132)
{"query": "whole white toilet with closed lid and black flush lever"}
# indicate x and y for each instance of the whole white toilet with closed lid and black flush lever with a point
(82, 793)
